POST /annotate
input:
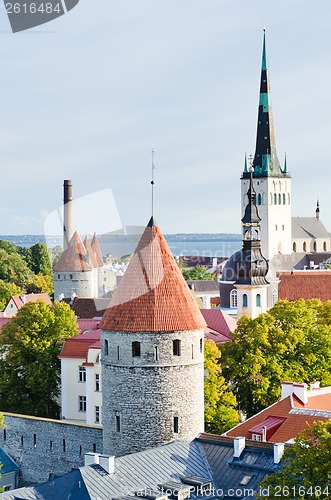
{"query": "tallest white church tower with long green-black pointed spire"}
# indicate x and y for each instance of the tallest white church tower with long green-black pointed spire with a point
(272, 183)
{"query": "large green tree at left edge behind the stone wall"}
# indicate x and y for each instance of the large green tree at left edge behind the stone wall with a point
(29, 367)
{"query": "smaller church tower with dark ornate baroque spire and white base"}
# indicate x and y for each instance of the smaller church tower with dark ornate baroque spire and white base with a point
(251, 267)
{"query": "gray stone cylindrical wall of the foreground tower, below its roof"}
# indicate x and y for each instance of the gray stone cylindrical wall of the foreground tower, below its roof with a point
(143, 395)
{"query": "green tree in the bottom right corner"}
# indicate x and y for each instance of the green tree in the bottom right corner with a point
(306, 467)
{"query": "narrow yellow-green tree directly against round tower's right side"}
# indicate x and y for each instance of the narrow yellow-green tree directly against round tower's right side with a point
(220, 403)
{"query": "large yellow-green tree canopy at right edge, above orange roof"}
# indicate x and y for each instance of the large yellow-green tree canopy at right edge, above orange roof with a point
(292, 341)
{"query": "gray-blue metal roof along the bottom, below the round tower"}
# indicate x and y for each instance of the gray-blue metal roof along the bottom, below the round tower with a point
(208, 457)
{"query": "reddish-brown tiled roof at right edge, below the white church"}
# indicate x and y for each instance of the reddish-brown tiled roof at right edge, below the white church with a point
(305, 285)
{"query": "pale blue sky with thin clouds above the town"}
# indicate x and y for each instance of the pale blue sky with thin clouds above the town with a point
(88, 96)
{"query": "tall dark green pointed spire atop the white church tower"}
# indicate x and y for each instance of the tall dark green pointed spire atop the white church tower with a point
(265, 162)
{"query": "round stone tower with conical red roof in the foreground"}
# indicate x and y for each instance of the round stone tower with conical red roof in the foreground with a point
(152, 354)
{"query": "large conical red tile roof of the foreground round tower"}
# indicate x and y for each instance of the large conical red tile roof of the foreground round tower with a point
(152, 295)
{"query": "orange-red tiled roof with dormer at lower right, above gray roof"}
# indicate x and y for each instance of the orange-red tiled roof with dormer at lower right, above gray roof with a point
(295, 420)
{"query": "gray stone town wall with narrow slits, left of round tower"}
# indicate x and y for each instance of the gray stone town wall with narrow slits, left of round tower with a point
(42, 446)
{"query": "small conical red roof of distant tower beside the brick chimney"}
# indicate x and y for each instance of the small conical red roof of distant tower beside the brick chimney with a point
(74, 258)
